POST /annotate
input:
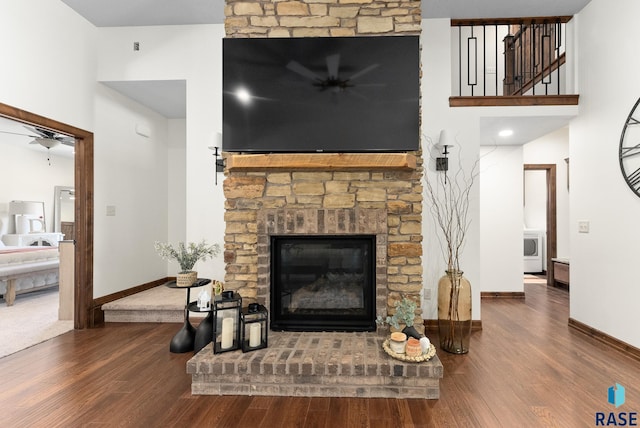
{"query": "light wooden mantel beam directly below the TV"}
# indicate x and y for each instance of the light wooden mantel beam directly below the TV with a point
(322, 161)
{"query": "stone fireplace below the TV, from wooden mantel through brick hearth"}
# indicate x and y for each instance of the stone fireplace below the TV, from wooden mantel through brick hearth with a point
(321, 196)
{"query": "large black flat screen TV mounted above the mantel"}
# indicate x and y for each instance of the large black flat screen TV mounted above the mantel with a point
(333, 94)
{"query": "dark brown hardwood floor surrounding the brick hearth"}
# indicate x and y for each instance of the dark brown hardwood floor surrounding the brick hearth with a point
(526, 368)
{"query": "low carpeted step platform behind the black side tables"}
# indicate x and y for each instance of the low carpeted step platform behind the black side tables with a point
(158, 304)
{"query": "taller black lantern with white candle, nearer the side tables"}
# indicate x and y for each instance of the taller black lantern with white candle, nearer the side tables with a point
(226, 322)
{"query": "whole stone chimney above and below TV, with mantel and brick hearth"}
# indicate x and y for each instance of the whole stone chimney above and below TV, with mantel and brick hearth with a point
(321, 194)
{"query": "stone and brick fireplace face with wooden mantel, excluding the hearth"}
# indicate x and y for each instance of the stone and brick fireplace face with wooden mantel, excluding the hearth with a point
(296, 200)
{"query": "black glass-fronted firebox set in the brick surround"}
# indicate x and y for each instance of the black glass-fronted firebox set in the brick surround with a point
(323, 283)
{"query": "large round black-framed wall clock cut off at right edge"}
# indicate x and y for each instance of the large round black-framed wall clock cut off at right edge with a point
(629, 153)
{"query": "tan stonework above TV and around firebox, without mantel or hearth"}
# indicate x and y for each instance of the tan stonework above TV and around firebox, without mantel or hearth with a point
(253, 196)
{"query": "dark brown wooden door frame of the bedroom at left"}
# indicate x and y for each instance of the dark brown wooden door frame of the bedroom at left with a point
(83, 182)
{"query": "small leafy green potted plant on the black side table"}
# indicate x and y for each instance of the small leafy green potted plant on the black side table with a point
(186, 255)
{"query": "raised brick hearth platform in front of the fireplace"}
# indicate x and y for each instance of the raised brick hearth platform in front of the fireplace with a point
(315, 365)
